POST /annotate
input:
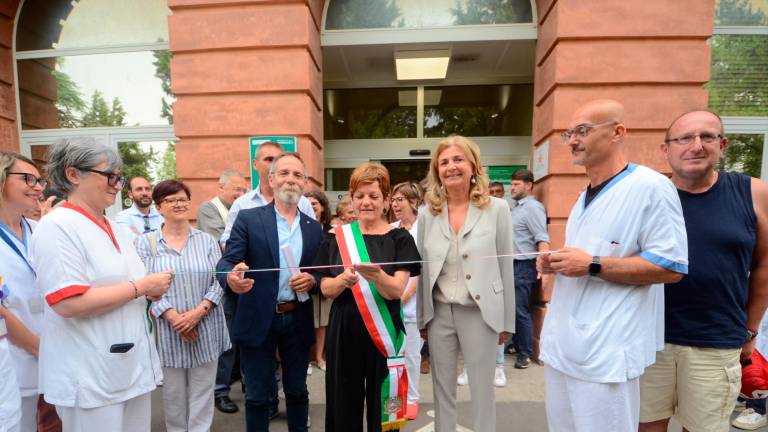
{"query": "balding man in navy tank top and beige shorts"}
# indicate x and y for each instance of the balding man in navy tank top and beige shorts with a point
(713, 314)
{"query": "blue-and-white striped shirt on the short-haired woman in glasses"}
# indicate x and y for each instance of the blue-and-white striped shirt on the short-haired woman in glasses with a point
(194, 281)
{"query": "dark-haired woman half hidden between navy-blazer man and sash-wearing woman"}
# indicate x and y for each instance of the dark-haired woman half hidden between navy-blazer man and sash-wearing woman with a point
(321, 303)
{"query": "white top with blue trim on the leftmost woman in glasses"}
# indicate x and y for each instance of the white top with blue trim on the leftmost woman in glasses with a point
(25, 301)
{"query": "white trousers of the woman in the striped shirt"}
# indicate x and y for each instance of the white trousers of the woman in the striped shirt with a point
(188, 398)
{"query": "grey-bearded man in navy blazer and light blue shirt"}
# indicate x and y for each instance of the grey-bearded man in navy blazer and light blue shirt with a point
(271, 314)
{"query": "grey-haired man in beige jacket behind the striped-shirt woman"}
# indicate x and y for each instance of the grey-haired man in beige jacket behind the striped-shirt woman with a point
(212, 219)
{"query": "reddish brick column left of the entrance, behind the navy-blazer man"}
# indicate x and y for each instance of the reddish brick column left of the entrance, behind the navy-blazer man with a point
(244, 68)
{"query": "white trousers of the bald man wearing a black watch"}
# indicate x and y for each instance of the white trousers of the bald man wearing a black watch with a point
(574, 405)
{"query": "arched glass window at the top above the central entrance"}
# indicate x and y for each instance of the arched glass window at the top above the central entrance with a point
(369, 14)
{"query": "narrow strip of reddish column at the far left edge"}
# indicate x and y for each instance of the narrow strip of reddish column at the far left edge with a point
(9, 132)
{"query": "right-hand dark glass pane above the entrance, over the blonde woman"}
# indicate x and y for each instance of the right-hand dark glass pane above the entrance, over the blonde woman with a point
(491, 110)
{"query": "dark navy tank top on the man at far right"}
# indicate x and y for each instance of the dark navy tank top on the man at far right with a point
(708, 307)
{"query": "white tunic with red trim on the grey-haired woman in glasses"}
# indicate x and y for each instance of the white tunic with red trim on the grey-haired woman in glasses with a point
(73, 253)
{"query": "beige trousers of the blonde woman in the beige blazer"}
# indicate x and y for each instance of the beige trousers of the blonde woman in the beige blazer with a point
(457, 328)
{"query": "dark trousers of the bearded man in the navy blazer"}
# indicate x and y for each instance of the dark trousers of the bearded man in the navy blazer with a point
(258, 364)
